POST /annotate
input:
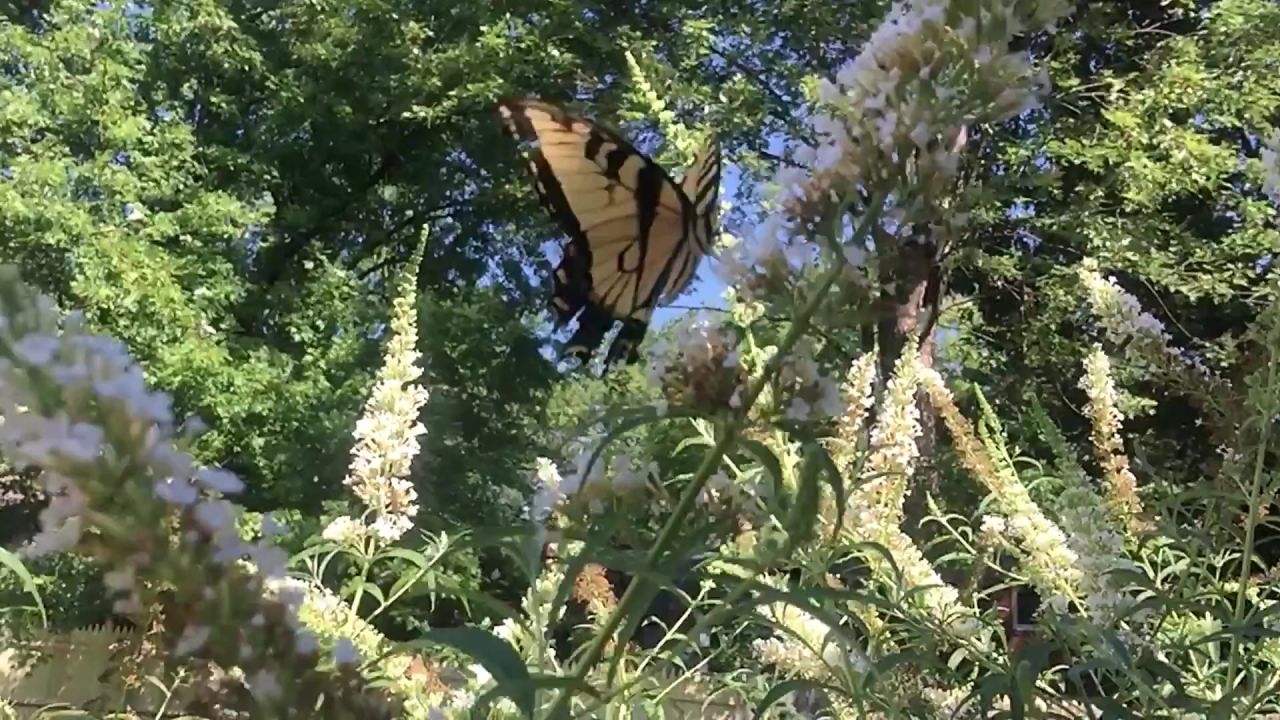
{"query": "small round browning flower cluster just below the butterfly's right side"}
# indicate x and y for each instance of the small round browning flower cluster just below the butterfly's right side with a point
(700, 366)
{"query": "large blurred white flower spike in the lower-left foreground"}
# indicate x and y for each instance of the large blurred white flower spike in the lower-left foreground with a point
(76, 407)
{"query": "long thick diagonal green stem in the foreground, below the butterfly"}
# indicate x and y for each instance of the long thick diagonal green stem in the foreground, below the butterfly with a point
(711, 462)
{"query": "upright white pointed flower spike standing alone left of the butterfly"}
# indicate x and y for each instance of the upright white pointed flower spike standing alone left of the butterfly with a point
(387, 435)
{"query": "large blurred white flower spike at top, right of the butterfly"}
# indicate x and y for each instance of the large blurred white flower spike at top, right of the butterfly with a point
(895, 119)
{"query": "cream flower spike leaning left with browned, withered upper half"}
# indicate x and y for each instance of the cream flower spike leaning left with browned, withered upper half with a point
(1049, 560)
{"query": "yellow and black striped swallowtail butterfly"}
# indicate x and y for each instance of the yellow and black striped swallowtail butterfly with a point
(636, 235)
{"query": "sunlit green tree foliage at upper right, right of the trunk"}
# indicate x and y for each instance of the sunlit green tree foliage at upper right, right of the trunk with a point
(1144, 160)
